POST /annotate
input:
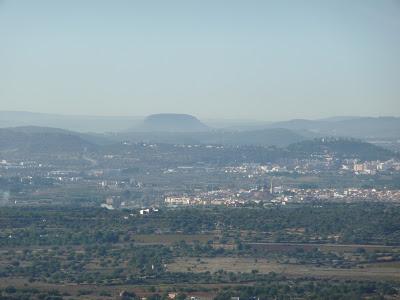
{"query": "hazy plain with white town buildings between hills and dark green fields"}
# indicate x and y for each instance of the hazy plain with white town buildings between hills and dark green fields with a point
(142, 175)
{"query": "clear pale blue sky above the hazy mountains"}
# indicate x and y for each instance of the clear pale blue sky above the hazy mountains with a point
(254, 60)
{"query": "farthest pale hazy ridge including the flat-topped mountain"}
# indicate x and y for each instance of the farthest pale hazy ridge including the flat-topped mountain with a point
(366, 128)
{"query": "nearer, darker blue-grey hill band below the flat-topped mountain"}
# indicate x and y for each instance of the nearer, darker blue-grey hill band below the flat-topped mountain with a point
(28, 141)
